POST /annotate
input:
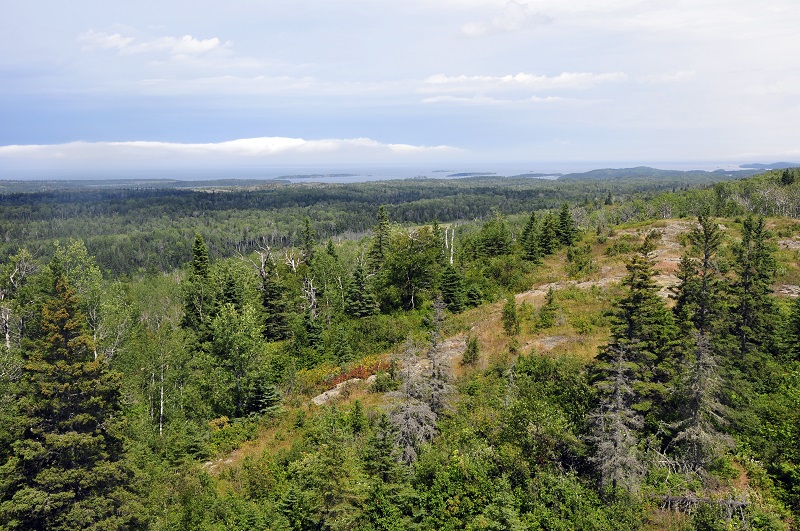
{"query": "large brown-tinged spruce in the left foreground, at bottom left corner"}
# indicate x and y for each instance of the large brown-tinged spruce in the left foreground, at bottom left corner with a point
(67, 469)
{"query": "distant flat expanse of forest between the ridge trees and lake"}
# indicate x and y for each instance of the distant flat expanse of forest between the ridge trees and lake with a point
(138, 230)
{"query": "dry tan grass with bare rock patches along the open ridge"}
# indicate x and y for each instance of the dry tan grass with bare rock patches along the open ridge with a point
(580, 327)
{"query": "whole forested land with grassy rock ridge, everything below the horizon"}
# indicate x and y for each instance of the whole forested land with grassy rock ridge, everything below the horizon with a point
(600, 351)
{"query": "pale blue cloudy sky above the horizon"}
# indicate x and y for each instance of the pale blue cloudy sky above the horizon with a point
(112, 86)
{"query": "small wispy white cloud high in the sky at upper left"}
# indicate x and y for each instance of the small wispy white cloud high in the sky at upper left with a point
(185, 45)
